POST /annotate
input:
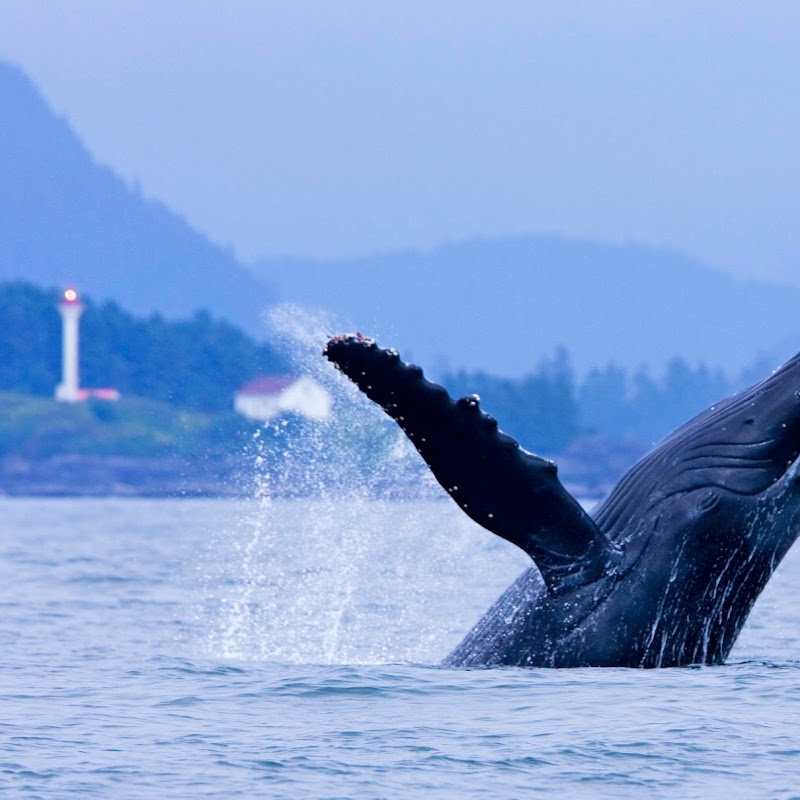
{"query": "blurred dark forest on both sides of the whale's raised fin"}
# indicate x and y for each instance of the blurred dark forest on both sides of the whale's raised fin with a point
(199, 363)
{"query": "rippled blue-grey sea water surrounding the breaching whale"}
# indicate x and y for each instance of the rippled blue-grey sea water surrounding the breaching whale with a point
(216, 649)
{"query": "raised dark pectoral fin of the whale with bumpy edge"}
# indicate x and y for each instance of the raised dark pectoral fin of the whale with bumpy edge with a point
(507, 490)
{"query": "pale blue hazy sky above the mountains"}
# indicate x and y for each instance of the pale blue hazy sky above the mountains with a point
(341, 128)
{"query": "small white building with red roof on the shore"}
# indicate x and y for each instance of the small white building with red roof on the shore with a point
(267, 397)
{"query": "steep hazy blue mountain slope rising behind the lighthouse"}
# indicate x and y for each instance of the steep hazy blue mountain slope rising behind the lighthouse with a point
(65, 219)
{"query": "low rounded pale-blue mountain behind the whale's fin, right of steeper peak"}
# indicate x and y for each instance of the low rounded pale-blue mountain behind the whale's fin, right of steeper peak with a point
(500, 305)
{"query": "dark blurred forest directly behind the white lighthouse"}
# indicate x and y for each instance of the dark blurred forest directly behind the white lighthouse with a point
(197, 363)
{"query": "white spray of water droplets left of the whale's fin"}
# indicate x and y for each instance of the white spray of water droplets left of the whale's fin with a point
(323, 568)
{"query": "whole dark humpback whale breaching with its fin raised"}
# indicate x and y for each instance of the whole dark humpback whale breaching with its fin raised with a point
(663, 573)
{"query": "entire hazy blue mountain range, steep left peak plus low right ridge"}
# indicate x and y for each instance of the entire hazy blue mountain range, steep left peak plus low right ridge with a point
(497, 305)
